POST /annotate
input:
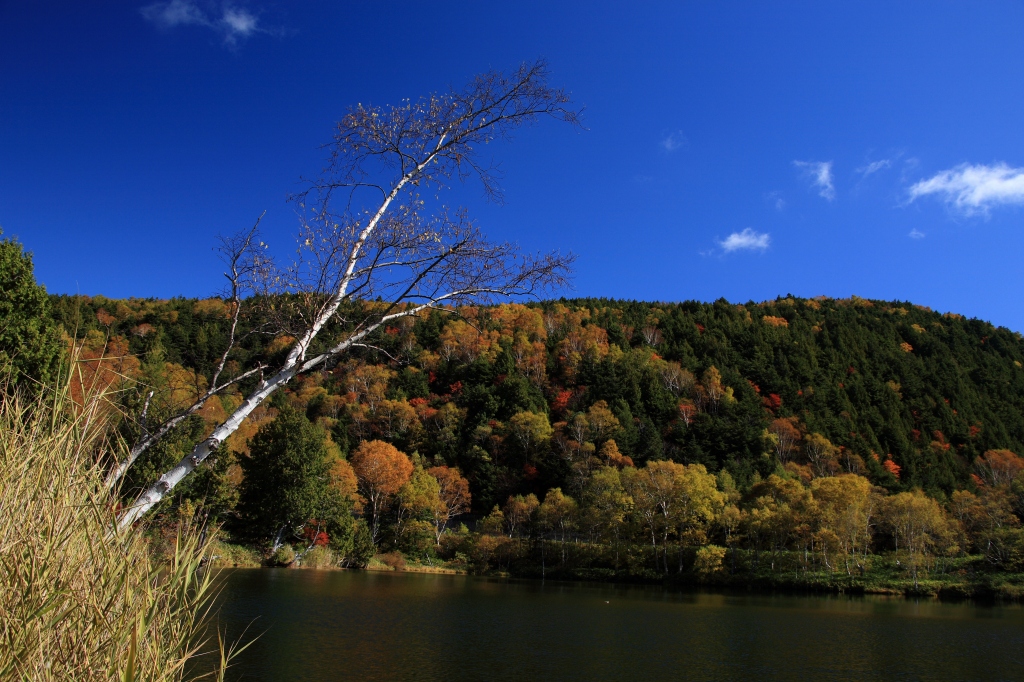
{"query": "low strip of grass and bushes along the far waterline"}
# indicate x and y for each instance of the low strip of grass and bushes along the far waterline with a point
(970, 577)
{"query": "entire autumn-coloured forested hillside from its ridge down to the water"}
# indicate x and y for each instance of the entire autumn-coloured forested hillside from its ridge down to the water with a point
(793, 443)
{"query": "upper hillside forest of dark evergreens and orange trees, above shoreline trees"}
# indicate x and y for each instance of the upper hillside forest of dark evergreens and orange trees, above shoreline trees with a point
(522, 398)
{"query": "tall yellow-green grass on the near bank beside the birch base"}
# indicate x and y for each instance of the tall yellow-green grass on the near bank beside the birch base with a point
(79, 602)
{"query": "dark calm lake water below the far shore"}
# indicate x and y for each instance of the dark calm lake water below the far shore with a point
(376, 626)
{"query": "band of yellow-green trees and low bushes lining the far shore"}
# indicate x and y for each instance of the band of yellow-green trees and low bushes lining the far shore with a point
(678, 525)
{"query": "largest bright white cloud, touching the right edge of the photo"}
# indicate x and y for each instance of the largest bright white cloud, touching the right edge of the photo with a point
(974, 189)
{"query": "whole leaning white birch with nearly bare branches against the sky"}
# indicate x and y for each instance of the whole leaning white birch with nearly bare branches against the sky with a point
(370, 249)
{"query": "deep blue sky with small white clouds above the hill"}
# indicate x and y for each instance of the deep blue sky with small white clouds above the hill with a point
(732, 150)
